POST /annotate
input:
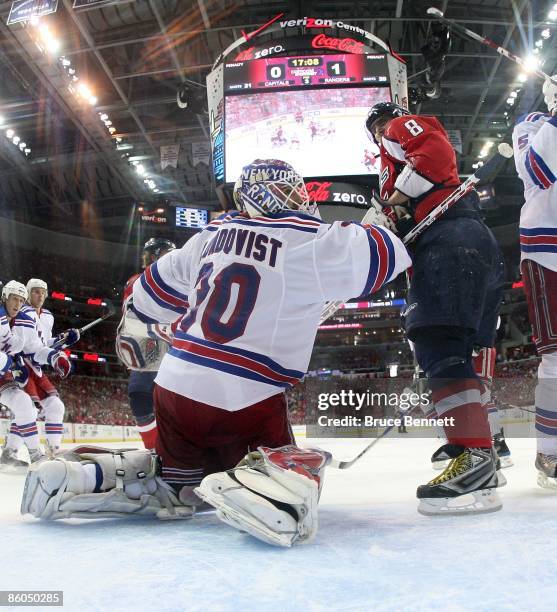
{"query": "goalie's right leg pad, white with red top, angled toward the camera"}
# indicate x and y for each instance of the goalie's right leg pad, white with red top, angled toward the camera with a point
(272, 494)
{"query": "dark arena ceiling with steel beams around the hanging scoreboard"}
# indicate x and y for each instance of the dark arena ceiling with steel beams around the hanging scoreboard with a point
(134, 54)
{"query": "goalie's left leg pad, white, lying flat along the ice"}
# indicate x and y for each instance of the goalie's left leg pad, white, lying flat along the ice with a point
(131, 486)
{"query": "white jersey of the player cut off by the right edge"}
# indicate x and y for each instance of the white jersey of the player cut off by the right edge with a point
(535, 154)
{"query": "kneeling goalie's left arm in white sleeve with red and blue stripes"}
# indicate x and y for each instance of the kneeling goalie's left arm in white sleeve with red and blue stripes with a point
(160, 294)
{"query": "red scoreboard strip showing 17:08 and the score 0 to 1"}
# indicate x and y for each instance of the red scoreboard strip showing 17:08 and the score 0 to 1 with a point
(306, 71)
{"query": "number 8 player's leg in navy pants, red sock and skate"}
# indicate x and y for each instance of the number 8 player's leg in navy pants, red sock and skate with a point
(457, 266)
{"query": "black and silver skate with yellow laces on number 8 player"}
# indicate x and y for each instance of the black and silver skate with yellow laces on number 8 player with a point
(467, 486)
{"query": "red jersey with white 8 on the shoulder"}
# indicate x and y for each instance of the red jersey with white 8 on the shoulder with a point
(418, 160)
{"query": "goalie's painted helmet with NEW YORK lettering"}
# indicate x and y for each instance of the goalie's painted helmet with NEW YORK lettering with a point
(269, 186)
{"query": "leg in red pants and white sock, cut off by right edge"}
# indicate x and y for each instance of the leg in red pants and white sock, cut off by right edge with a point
(540, 285)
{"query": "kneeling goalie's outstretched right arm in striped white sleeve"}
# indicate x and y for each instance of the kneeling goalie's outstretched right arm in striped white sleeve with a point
(351, 260)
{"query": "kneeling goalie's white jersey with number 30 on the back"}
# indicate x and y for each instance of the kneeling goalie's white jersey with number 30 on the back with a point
(257, 287)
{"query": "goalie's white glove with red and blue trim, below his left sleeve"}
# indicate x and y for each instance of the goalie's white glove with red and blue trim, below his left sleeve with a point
(141, 346)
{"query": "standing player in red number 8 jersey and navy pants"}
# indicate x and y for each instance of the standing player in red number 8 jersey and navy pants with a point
(453, 299)
